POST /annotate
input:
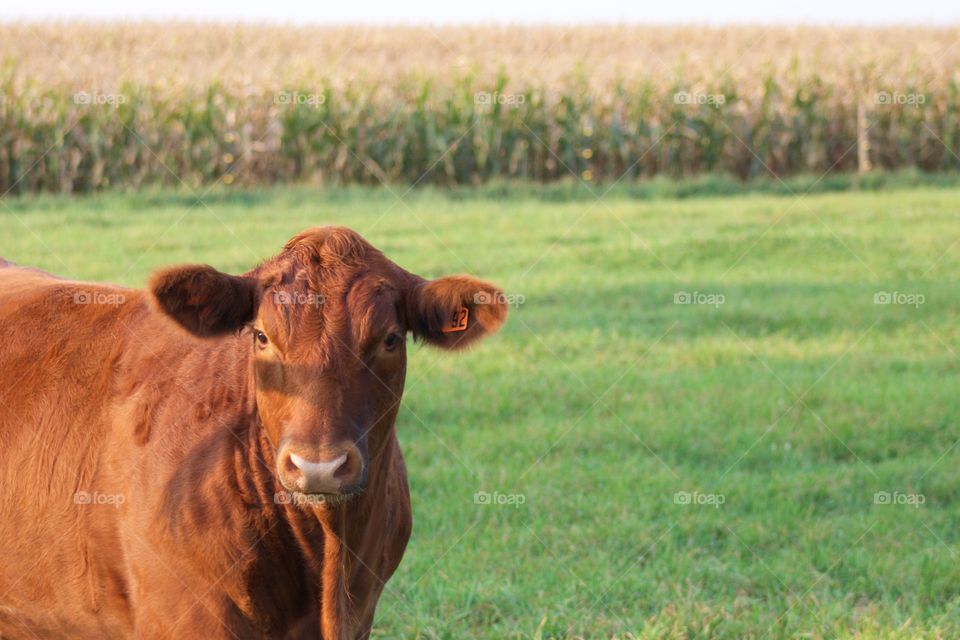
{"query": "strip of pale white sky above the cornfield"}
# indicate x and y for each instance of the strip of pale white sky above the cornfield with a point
(940, 12)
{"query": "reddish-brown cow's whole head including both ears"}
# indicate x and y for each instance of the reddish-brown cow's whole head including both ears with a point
(326, 323)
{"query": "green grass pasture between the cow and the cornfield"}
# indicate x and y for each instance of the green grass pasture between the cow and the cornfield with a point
(781, 404)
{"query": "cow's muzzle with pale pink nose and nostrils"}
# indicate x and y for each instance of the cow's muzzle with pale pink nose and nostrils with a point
(337, 471)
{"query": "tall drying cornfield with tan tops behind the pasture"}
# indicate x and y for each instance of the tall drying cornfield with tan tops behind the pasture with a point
(86, 106)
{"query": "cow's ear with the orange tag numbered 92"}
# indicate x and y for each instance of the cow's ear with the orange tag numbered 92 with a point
(454, 311)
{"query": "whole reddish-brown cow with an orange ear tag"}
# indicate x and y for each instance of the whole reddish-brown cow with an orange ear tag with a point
(215, 457)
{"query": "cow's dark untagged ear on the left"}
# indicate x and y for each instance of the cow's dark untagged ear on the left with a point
(203, 300)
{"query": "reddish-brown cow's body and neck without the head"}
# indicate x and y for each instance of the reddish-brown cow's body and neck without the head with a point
(140, 491)
